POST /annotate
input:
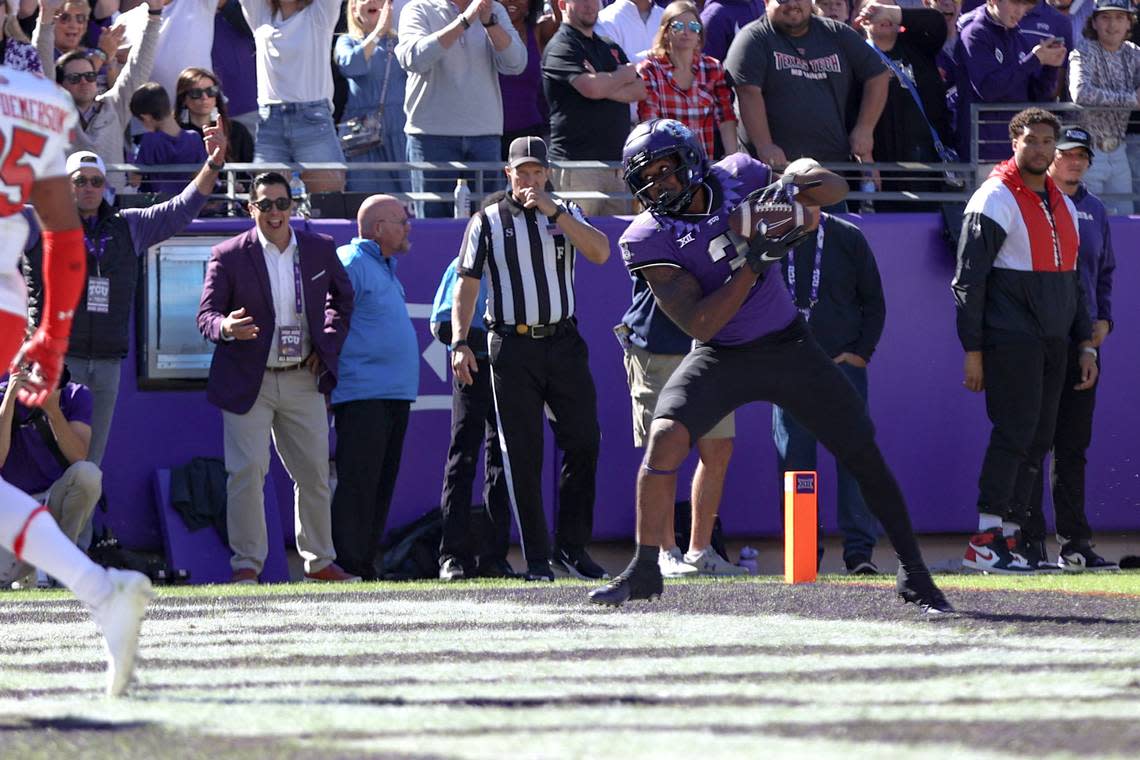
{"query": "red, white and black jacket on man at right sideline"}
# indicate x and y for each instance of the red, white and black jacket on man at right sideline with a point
(1017, 274)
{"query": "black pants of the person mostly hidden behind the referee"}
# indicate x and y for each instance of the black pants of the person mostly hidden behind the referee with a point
(474, 423)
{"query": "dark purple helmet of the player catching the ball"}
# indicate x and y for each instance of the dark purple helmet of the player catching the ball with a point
(659, 138)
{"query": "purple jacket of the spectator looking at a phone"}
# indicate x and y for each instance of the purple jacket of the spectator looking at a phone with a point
(994, 64)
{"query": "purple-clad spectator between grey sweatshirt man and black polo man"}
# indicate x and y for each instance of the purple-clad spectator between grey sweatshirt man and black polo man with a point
(525, 110)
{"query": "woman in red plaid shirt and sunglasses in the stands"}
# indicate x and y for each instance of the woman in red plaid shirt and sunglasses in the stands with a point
(686, 85)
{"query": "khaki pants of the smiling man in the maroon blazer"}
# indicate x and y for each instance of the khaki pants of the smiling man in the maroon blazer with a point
(292, 412)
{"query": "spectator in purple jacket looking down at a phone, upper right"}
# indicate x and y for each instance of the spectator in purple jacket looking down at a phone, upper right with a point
(996, 63)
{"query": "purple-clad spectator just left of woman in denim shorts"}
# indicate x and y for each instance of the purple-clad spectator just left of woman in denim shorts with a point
(234, 56)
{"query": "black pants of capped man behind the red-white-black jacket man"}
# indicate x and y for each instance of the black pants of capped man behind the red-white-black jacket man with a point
(1071, 442)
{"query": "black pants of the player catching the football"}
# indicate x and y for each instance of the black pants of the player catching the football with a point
(792, 371)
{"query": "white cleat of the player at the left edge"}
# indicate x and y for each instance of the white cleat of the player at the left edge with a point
(120, 618)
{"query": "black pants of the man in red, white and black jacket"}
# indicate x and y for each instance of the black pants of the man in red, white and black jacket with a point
(1024, 382)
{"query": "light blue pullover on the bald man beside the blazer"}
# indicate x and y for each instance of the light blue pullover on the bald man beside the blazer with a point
(381, 354)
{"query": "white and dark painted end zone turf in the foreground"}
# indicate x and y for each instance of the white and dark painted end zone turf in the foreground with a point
(1039, 668)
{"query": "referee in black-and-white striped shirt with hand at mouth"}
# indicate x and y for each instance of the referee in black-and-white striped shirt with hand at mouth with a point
(538, 358)
